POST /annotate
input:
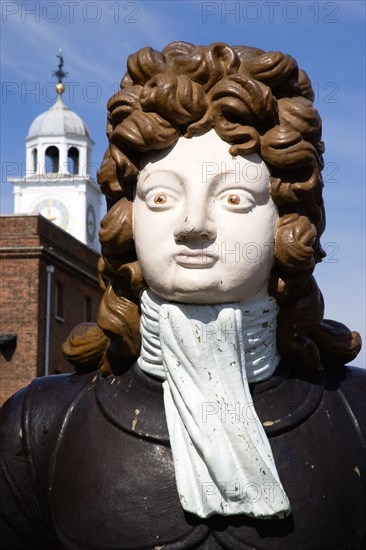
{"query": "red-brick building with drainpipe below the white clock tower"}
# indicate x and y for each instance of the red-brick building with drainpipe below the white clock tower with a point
(37, 259)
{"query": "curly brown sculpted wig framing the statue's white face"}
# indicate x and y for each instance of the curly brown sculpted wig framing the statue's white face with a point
(258, 102)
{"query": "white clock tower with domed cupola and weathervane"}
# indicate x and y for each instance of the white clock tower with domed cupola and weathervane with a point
(57, 182)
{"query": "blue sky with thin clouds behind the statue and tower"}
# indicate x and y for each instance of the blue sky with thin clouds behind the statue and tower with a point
(326, 38)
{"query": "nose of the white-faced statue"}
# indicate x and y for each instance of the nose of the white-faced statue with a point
(195, 224)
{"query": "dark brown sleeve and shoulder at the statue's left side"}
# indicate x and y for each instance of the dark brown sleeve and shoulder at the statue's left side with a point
(30, 424)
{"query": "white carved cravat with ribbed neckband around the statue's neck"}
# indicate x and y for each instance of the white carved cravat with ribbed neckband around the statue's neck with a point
(206, 355)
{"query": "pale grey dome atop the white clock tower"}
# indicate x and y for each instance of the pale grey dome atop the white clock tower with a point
(59, 120)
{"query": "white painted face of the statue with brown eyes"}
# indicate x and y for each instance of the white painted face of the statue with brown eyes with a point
(204, 223)
